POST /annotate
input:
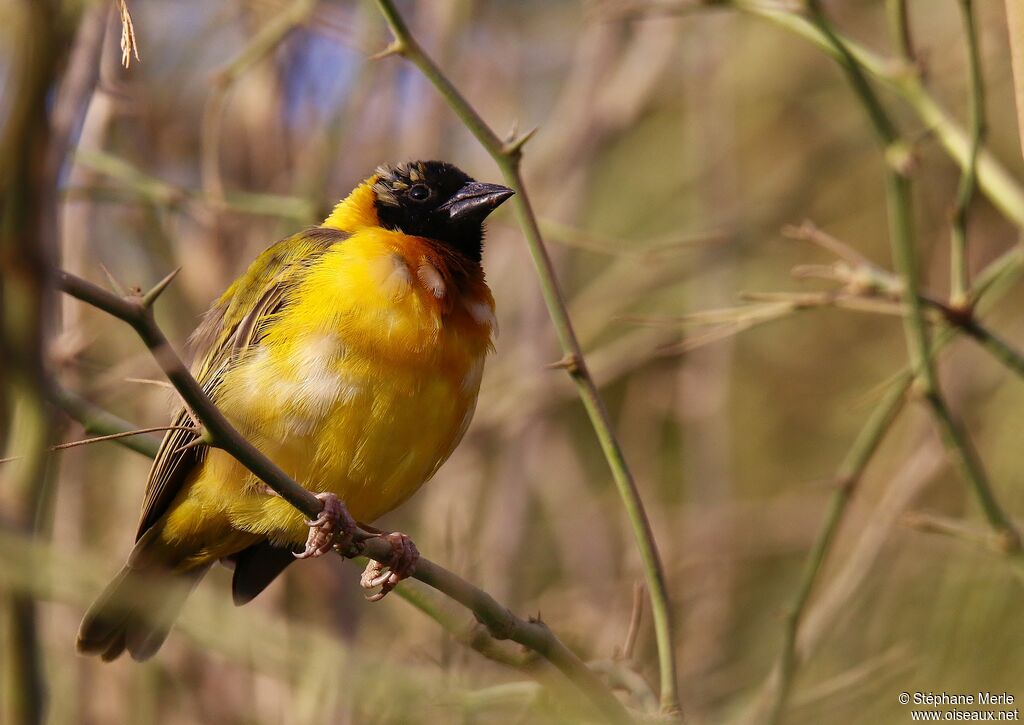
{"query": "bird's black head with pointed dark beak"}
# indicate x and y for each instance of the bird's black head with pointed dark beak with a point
(438, 201)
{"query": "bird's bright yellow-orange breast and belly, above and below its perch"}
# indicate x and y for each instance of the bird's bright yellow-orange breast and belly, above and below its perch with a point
(366, 385)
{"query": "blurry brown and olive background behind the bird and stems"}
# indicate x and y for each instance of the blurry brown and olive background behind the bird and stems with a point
(671, 151)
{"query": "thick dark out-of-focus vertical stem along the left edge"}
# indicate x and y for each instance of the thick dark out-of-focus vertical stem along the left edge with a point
(34, 35)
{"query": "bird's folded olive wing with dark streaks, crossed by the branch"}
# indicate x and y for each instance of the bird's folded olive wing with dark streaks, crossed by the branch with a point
(237, 322)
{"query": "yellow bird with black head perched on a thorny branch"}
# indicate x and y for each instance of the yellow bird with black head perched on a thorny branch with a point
(352, 355)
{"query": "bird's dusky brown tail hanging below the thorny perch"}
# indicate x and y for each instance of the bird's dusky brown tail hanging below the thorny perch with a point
(136, 612)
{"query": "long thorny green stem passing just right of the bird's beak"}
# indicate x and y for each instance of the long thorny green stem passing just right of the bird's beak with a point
(507, 156)
